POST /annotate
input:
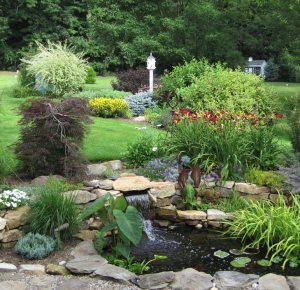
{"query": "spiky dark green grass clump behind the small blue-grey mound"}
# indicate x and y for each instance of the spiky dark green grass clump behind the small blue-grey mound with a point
(50, 208)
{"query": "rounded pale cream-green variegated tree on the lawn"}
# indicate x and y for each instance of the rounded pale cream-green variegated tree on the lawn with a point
(57, 67)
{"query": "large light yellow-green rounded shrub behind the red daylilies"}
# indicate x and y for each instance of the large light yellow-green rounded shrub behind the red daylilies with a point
(224, 89)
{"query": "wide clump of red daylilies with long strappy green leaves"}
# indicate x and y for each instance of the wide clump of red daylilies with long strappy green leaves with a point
(225, 142)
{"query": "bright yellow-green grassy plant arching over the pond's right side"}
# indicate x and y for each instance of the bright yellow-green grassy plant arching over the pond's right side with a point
(274, 226)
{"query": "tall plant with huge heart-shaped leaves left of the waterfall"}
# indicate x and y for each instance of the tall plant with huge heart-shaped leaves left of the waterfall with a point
(125, 227)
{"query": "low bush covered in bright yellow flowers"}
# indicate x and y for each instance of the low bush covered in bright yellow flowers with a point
(106, 107)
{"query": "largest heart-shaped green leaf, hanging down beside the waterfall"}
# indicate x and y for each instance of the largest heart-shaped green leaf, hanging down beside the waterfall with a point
(130, 223)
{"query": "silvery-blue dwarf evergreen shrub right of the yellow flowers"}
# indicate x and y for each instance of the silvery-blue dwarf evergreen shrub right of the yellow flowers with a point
(139, 102)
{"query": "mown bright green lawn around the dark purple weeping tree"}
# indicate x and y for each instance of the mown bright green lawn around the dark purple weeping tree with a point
(107, 139)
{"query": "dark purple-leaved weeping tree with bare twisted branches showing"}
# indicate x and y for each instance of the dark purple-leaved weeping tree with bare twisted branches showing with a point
(52, 134)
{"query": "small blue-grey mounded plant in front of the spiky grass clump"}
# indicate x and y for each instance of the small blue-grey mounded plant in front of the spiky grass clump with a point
(35, 246)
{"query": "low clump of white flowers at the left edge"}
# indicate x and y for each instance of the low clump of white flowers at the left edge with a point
(12, 199)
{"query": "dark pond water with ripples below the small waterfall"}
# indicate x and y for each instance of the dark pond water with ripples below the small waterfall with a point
(187, 247)
